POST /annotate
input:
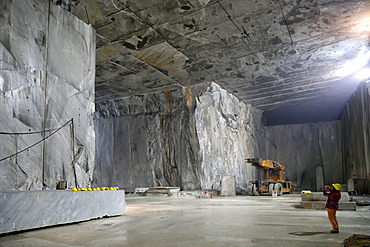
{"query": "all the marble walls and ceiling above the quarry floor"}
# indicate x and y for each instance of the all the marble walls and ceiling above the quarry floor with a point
(180, 93)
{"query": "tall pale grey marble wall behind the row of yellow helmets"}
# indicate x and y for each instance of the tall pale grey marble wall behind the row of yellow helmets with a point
(47, 69)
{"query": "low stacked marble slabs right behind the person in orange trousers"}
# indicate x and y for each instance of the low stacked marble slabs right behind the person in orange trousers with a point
(316, 200)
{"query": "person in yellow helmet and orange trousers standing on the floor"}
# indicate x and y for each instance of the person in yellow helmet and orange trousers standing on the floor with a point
(332, 204)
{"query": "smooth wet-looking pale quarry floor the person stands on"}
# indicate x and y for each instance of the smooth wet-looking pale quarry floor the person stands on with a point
(189, 221)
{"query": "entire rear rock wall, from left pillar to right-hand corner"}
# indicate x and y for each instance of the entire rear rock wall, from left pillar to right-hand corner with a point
(194, 137)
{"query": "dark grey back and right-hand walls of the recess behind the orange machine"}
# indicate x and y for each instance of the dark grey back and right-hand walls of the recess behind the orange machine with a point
(327, 152)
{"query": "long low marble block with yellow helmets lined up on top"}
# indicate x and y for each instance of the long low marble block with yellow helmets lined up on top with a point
(23, 210)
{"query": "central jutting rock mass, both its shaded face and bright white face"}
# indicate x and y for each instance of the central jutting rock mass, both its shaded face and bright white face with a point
(188, 138)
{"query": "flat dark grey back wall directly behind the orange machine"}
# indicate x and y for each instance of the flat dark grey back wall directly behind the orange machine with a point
(312, 152)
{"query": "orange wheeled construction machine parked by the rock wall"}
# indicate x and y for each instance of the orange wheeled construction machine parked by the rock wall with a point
(273, 178)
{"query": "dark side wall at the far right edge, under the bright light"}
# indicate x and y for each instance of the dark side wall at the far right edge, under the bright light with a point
(356, 137)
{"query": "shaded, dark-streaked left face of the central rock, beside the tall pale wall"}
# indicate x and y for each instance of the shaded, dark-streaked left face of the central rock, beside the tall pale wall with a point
(147, 140)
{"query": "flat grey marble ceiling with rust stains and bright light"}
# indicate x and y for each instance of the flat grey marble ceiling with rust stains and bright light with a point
(293, 59)
